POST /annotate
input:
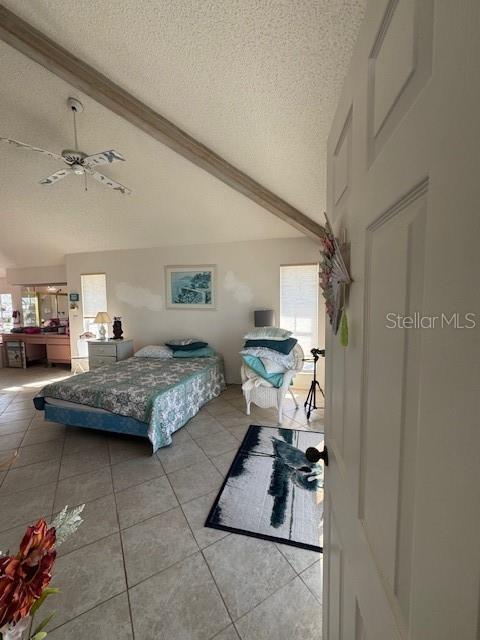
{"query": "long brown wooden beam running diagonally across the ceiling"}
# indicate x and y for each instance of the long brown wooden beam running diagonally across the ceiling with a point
(34, 44)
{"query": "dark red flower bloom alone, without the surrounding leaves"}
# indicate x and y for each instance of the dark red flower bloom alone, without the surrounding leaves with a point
(23, 577)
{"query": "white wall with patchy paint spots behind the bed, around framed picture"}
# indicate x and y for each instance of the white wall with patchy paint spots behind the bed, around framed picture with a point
(248, 275)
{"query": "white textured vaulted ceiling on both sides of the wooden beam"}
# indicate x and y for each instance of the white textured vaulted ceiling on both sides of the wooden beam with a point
(257, 81)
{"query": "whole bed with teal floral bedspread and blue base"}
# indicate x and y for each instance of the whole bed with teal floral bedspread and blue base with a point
(149, 397)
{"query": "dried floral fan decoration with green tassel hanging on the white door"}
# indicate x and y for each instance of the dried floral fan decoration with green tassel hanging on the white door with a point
(334, 277)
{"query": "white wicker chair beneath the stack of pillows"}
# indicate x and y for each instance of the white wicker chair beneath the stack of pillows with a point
(265, 395)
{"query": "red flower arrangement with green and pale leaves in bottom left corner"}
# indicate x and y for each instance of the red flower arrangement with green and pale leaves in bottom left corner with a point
(25, 577)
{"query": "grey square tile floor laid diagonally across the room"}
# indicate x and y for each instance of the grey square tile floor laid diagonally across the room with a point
(142, 565)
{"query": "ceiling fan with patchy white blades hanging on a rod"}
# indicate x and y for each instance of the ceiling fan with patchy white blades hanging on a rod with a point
(78, 162)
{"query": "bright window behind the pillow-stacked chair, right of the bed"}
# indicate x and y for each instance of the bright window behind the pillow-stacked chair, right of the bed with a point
(299, 304)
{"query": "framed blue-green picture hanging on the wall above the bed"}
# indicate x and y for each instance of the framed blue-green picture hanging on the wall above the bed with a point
(190, 287)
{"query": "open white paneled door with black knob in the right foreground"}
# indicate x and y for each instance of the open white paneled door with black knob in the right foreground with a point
(402, 553)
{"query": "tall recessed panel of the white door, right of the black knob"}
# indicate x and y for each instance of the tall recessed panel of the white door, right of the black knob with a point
(394, 281)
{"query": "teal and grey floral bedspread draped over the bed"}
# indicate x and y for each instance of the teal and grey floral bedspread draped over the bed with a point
(164, 393)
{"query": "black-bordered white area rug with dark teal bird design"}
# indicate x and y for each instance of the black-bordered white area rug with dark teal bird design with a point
(272, 491)
